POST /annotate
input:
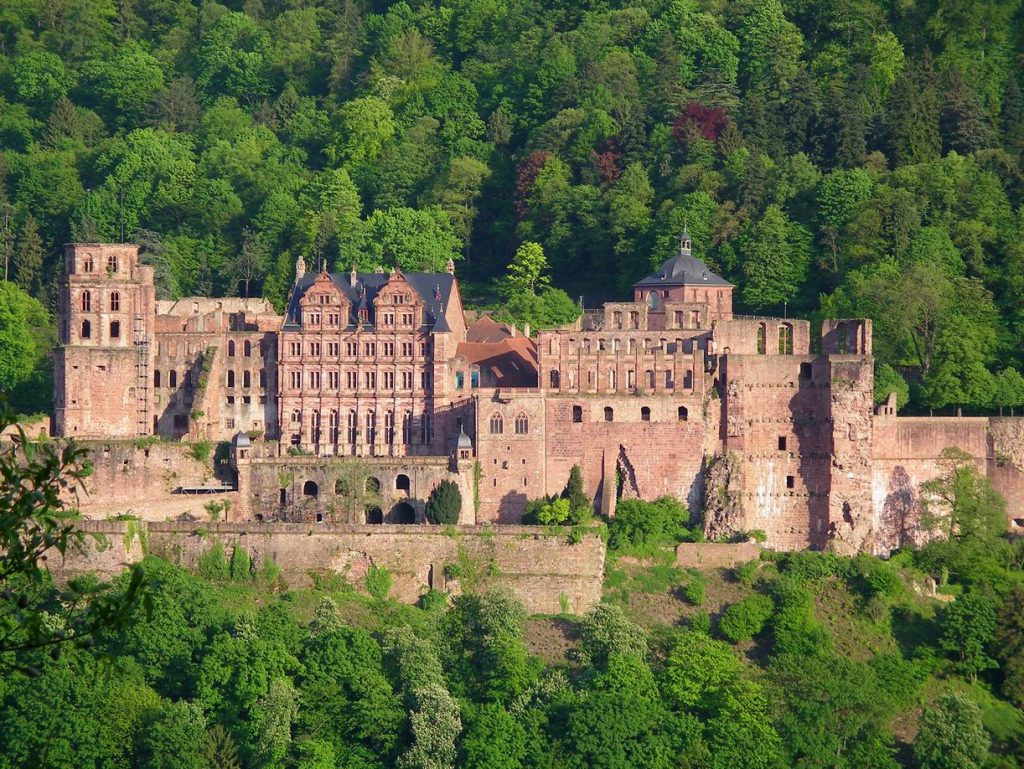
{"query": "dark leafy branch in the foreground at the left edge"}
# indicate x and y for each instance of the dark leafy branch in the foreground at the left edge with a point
(35, 523)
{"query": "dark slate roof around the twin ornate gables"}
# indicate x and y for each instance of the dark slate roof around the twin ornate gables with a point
(434, 288)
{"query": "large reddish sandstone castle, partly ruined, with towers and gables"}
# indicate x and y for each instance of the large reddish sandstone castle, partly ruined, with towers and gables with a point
(379, 379)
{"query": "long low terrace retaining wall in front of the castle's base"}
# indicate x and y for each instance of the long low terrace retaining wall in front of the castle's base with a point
(546, 572)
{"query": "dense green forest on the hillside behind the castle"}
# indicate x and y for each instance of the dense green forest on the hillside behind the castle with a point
(845, 159)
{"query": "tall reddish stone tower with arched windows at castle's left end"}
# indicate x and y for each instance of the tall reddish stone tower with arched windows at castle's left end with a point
(102, 366)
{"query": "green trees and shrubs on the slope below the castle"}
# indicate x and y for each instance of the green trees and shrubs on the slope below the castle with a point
(801, 660)
